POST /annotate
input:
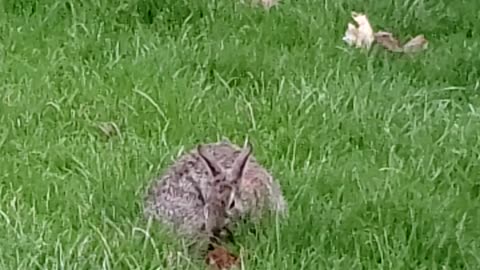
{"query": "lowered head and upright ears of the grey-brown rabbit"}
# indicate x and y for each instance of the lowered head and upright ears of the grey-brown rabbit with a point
(222, 197)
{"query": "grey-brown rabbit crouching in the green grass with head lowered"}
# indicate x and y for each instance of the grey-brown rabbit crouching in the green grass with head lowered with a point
(210, 187)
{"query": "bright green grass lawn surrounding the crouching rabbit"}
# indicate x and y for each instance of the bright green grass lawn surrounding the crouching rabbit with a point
(377, 154)
